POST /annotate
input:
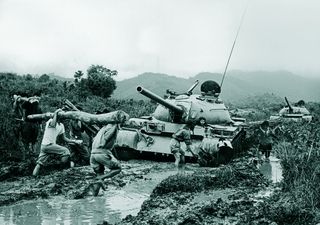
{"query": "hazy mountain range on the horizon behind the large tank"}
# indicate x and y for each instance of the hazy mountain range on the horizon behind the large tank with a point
(237, 85)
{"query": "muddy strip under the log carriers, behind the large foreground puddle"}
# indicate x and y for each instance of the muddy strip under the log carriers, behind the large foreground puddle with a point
(17, 183)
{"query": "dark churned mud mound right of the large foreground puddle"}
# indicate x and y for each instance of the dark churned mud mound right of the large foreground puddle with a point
(225, 195)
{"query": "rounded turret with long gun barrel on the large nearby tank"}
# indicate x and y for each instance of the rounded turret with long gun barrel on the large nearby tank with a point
(206, 108)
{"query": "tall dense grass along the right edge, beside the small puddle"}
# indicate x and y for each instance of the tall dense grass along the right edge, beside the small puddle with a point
(299, 151)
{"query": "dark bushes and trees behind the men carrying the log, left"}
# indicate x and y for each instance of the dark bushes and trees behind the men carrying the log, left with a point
(91, 93)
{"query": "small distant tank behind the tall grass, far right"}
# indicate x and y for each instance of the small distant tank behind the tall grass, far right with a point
(298, 112)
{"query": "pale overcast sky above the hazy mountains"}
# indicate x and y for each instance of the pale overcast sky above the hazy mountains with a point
(176, 37)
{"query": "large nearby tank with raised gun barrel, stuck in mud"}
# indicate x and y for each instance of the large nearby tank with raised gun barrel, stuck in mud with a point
(148, 137)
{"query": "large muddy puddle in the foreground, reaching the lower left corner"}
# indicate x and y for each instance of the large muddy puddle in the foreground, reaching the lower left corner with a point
(113, 205)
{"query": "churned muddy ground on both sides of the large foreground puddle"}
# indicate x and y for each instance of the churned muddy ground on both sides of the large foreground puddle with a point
(236, 193)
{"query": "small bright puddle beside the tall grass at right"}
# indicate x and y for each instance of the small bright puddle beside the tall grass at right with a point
(272, 169)
